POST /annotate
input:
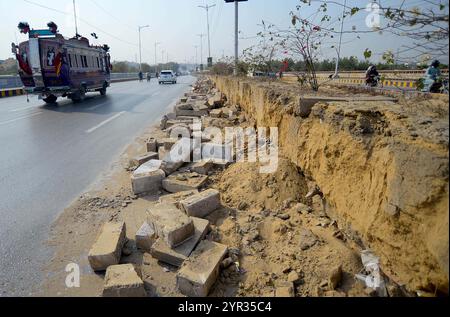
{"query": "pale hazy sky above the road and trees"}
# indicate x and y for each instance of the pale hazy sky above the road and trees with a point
(176, 25)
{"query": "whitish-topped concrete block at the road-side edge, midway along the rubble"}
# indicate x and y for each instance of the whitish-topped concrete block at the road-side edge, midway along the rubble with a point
(148, 177)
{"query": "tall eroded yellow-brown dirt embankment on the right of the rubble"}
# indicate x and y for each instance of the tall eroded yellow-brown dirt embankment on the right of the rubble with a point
(382, 167)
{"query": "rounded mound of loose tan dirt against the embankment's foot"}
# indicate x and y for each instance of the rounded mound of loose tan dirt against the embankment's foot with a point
(245, 188)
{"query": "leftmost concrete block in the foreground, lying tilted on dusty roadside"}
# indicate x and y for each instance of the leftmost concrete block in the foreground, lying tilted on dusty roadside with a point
(107, 249)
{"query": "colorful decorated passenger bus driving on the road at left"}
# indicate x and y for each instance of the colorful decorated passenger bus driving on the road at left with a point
(52, 66)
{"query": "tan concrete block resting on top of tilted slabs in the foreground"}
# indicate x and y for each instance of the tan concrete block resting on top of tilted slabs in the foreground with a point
(170, 224)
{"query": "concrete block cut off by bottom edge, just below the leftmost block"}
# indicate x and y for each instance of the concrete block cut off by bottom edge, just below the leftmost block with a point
(123, 281)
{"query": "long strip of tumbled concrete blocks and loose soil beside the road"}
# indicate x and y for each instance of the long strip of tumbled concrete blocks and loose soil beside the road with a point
(218, 228)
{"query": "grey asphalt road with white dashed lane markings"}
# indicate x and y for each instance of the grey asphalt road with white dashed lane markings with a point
(50, 155)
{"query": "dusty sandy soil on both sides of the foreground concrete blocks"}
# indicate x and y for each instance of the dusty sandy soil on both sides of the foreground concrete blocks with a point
(277, 233)
